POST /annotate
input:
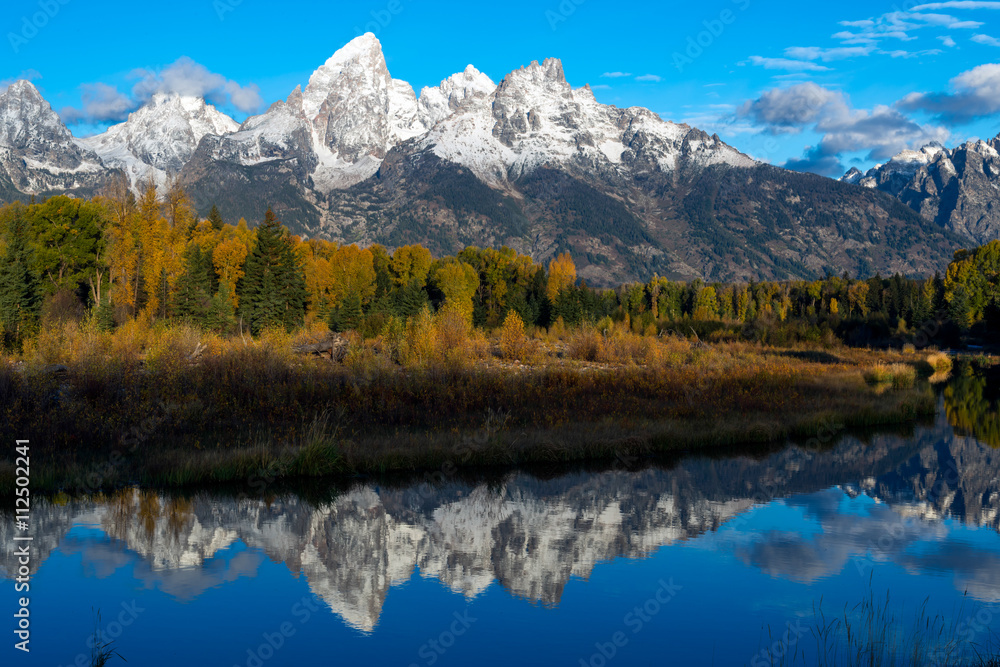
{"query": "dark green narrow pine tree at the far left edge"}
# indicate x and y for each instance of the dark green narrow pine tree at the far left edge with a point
(20, 287)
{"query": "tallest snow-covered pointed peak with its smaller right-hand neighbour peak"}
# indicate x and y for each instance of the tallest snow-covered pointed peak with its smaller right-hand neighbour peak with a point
(350, 115)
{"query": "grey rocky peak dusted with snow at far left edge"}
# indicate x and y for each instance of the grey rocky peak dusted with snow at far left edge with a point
(37, 152)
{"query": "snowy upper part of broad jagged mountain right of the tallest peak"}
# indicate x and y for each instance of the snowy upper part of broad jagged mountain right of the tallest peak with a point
(535, 118)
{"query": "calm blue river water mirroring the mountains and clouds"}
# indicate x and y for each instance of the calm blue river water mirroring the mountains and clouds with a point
(726, 561)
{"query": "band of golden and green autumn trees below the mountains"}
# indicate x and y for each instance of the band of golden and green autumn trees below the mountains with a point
(121, 256)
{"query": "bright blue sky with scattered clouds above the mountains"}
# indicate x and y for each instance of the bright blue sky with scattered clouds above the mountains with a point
(816, 86)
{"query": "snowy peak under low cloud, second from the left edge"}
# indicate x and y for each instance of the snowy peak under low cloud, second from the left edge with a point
(160, 138)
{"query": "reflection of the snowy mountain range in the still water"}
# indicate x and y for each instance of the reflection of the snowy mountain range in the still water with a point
(532, 536)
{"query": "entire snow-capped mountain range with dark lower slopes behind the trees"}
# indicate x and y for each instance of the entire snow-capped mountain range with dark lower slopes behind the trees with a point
(533, 163)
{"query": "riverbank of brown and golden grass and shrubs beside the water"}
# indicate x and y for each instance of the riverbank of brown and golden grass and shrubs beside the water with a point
(253, 412)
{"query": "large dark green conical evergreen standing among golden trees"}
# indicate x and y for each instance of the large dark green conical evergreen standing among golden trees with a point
(273, 291)
